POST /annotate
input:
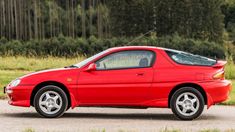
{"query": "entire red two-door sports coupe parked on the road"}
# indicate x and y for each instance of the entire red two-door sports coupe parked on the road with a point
(131, 77)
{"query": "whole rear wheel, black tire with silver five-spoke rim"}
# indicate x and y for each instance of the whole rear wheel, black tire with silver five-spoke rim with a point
(187, 103)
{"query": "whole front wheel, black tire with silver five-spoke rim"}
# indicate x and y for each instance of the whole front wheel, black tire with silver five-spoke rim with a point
(51, 101)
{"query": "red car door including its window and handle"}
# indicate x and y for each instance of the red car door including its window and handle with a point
(122, 77)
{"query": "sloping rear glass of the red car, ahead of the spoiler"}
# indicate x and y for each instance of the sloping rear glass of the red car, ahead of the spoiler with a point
(189, 59)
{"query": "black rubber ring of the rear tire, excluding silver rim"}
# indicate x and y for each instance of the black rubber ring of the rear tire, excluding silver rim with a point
(184, 90)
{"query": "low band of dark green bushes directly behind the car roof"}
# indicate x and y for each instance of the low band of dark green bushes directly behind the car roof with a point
(69, 47)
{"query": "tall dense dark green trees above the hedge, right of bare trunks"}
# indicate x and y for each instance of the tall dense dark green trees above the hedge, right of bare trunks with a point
(192, 19)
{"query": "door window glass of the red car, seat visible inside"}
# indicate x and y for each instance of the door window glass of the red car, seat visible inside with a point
(126, 59)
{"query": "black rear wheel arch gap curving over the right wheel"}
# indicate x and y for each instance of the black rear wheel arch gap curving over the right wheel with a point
(193, 85)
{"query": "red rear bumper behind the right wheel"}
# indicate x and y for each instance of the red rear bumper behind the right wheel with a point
(217, 91)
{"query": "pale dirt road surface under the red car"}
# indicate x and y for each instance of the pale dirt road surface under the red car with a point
(113, 119)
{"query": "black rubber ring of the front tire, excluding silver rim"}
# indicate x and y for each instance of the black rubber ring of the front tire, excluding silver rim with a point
(55, 89)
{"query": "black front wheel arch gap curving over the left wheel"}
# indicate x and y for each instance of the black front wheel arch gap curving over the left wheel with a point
(55, 83)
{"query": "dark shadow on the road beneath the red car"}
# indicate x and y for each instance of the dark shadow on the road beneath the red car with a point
(129, 116)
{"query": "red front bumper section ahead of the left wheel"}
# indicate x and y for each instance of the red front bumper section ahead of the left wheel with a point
(19, 96)
